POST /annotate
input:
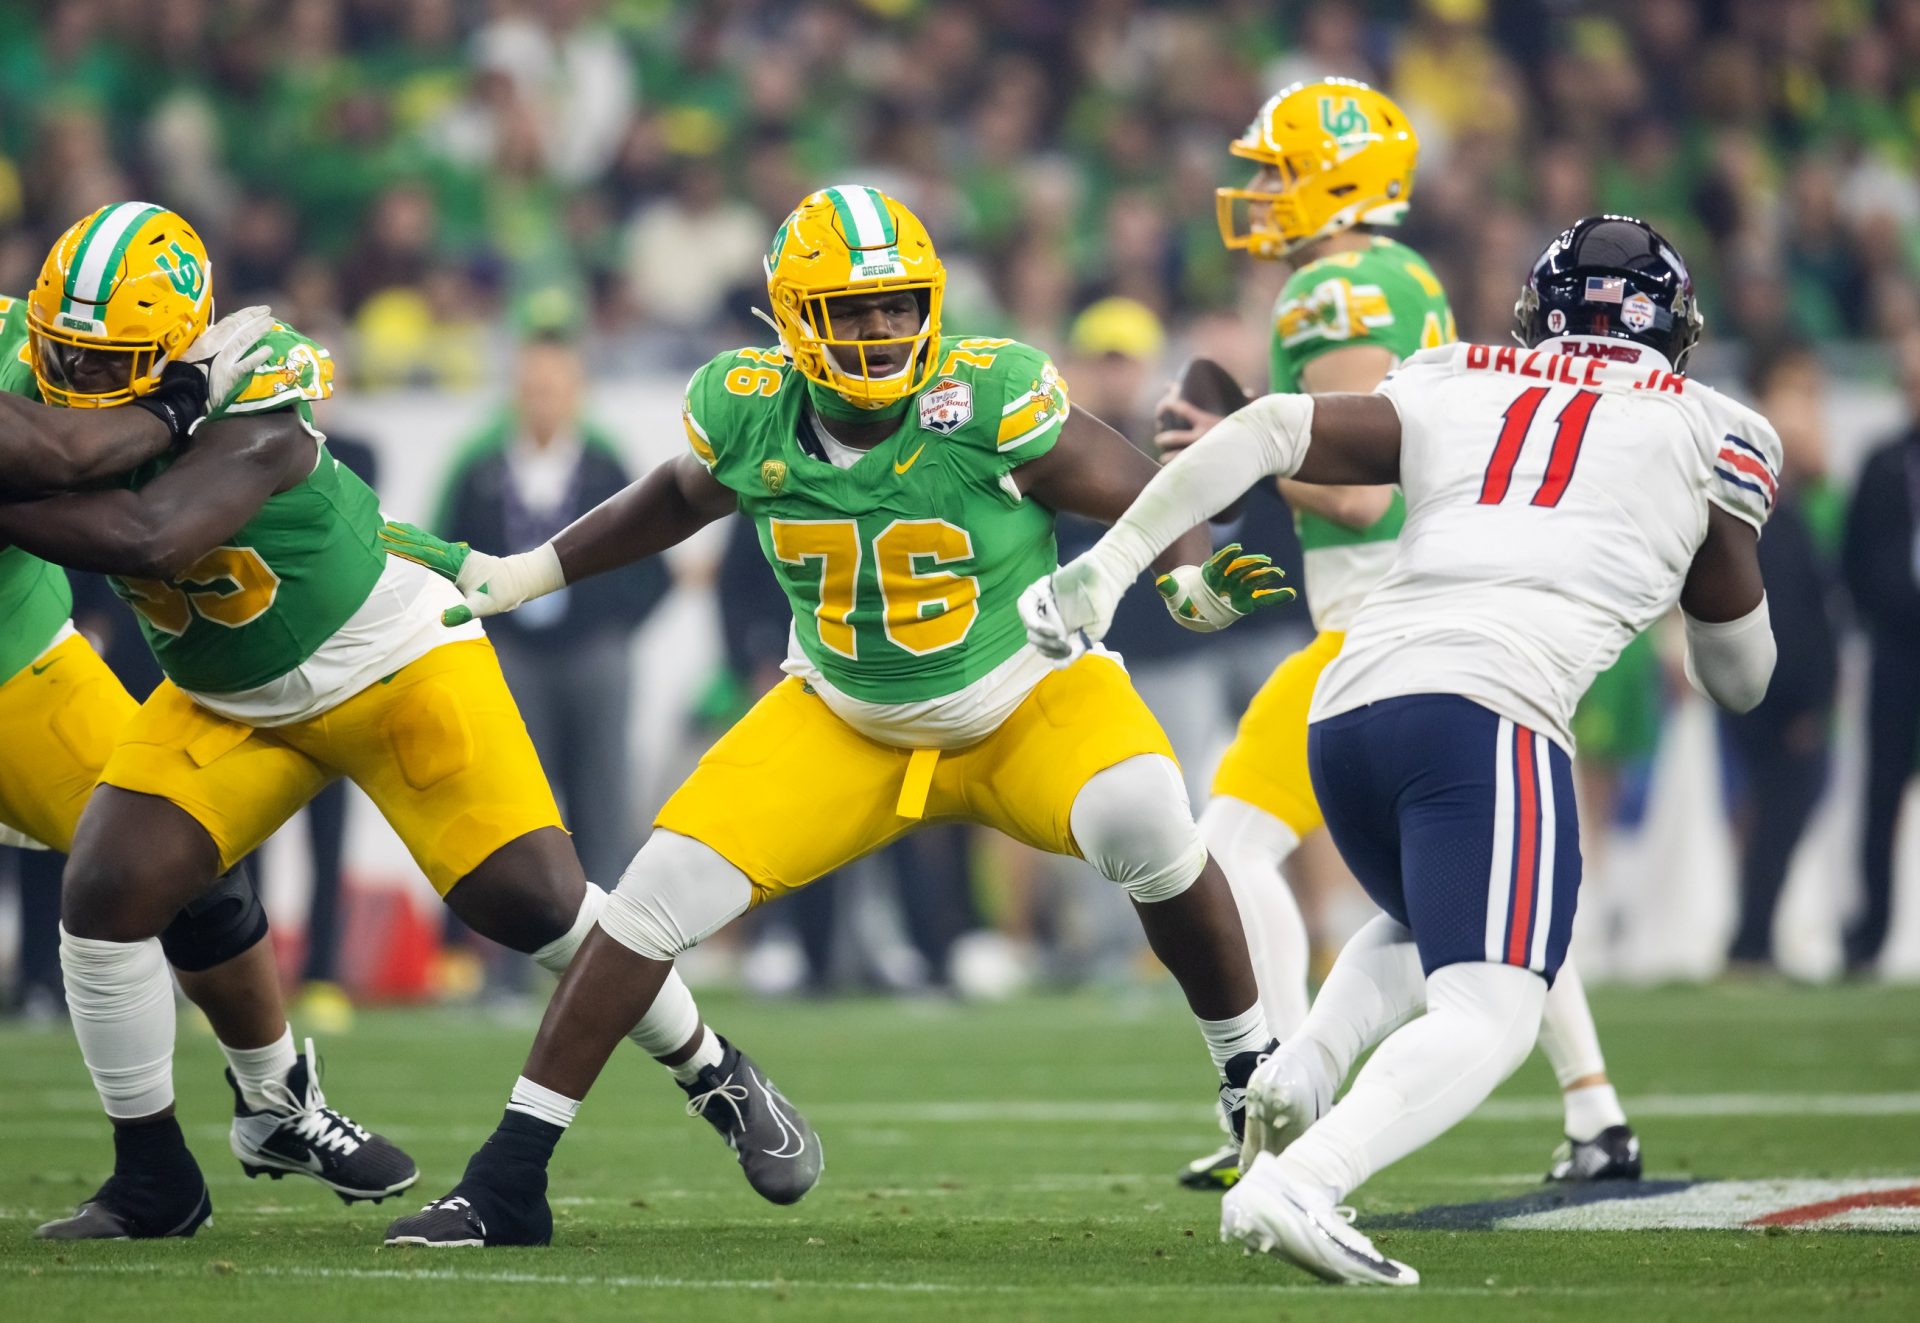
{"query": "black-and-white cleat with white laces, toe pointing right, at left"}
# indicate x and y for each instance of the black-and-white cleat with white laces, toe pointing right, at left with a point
(299, 1134)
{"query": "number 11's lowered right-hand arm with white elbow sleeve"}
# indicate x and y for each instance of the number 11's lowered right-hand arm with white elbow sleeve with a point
(1729, 635)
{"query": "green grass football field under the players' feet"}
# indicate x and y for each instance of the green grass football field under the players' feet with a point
(986, 1163)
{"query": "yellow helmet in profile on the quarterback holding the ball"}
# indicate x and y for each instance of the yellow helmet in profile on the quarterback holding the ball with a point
(1345, 156)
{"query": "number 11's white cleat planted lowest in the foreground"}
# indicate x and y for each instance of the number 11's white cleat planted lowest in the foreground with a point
(1297, 1222)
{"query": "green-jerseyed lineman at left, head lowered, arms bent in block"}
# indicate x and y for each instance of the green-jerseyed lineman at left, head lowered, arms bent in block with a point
(295, 652)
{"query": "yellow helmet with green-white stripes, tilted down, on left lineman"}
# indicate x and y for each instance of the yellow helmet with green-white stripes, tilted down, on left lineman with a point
(122, 293)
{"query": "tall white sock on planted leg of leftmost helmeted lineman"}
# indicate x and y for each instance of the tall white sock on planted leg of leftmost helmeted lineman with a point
(122, 1003)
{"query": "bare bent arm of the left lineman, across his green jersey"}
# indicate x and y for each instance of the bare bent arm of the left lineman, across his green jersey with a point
(178, 517)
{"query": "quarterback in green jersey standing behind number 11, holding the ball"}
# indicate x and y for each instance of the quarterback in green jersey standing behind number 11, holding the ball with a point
(1335, 166)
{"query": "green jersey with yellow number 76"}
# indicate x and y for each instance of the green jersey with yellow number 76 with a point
(903, 569)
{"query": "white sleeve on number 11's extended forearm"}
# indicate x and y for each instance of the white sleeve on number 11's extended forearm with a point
(1268, 437)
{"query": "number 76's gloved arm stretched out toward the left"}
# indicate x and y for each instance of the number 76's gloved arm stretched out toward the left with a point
(652, 516)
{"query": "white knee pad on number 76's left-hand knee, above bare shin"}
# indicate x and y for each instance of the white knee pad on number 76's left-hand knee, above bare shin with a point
(675, 896)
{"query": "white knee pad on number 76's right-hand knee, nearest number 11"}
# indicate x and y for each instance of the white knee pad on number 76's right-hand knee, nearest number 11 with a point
(1136, 829)
